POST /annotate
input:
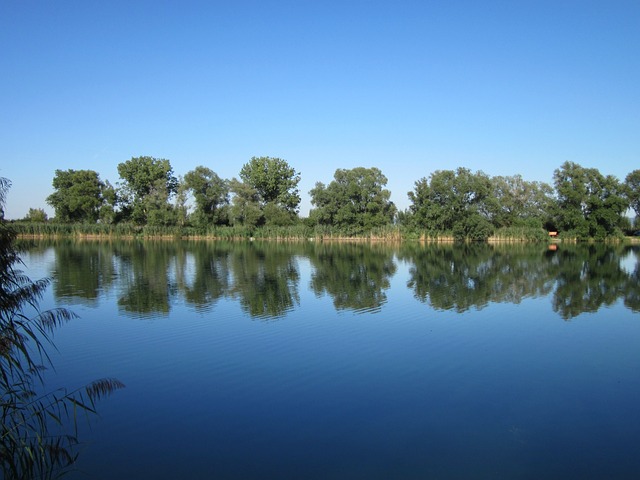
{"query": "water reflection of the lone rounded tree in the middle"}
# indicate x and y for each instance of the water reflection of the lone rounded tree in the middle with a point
(355, 275)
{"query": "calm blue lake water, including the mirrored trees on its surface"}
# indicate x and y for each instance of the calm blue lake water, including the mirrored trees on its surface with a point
(320, 361)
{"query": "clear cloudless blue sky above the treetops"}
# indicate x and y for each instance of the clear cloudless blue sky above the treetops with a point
(410, 87)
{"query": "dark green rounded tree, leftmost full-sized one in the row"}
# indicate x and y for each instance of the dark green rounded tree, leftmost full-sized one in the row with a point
(78, 196)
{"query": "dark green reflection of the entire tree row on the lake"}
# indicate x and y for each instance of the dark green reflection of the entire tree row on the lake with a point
(264, 277)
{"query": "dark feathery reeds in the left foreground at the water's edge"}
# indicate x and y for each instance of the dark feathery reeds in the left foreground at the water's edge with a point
(28, 446)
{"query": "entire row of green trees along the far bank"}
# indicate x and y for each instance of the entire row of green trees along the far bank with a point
(459, 202)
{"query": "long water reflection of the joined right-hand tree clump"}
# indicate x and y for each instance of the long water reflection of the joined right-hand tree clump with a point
(580, 278)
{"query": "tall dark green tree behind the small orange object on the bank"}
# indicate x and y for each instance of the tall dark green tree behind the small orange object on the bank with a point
(589, 204)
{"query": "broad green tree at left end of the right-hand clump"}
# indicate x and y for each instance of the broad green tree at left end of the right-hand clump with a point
(455, 202)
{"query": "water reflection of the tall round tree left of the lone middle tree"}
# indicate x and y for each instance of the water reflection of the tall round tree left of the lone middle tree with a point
(265, 278)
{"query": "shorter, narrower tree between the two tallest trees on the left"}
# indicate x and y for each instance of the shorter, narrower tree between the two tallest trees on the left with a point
(211, 194)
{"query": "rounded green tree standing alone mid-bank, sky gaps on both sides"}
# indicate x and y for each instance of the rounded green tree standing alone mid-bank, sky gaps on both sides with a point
(355, 200)
